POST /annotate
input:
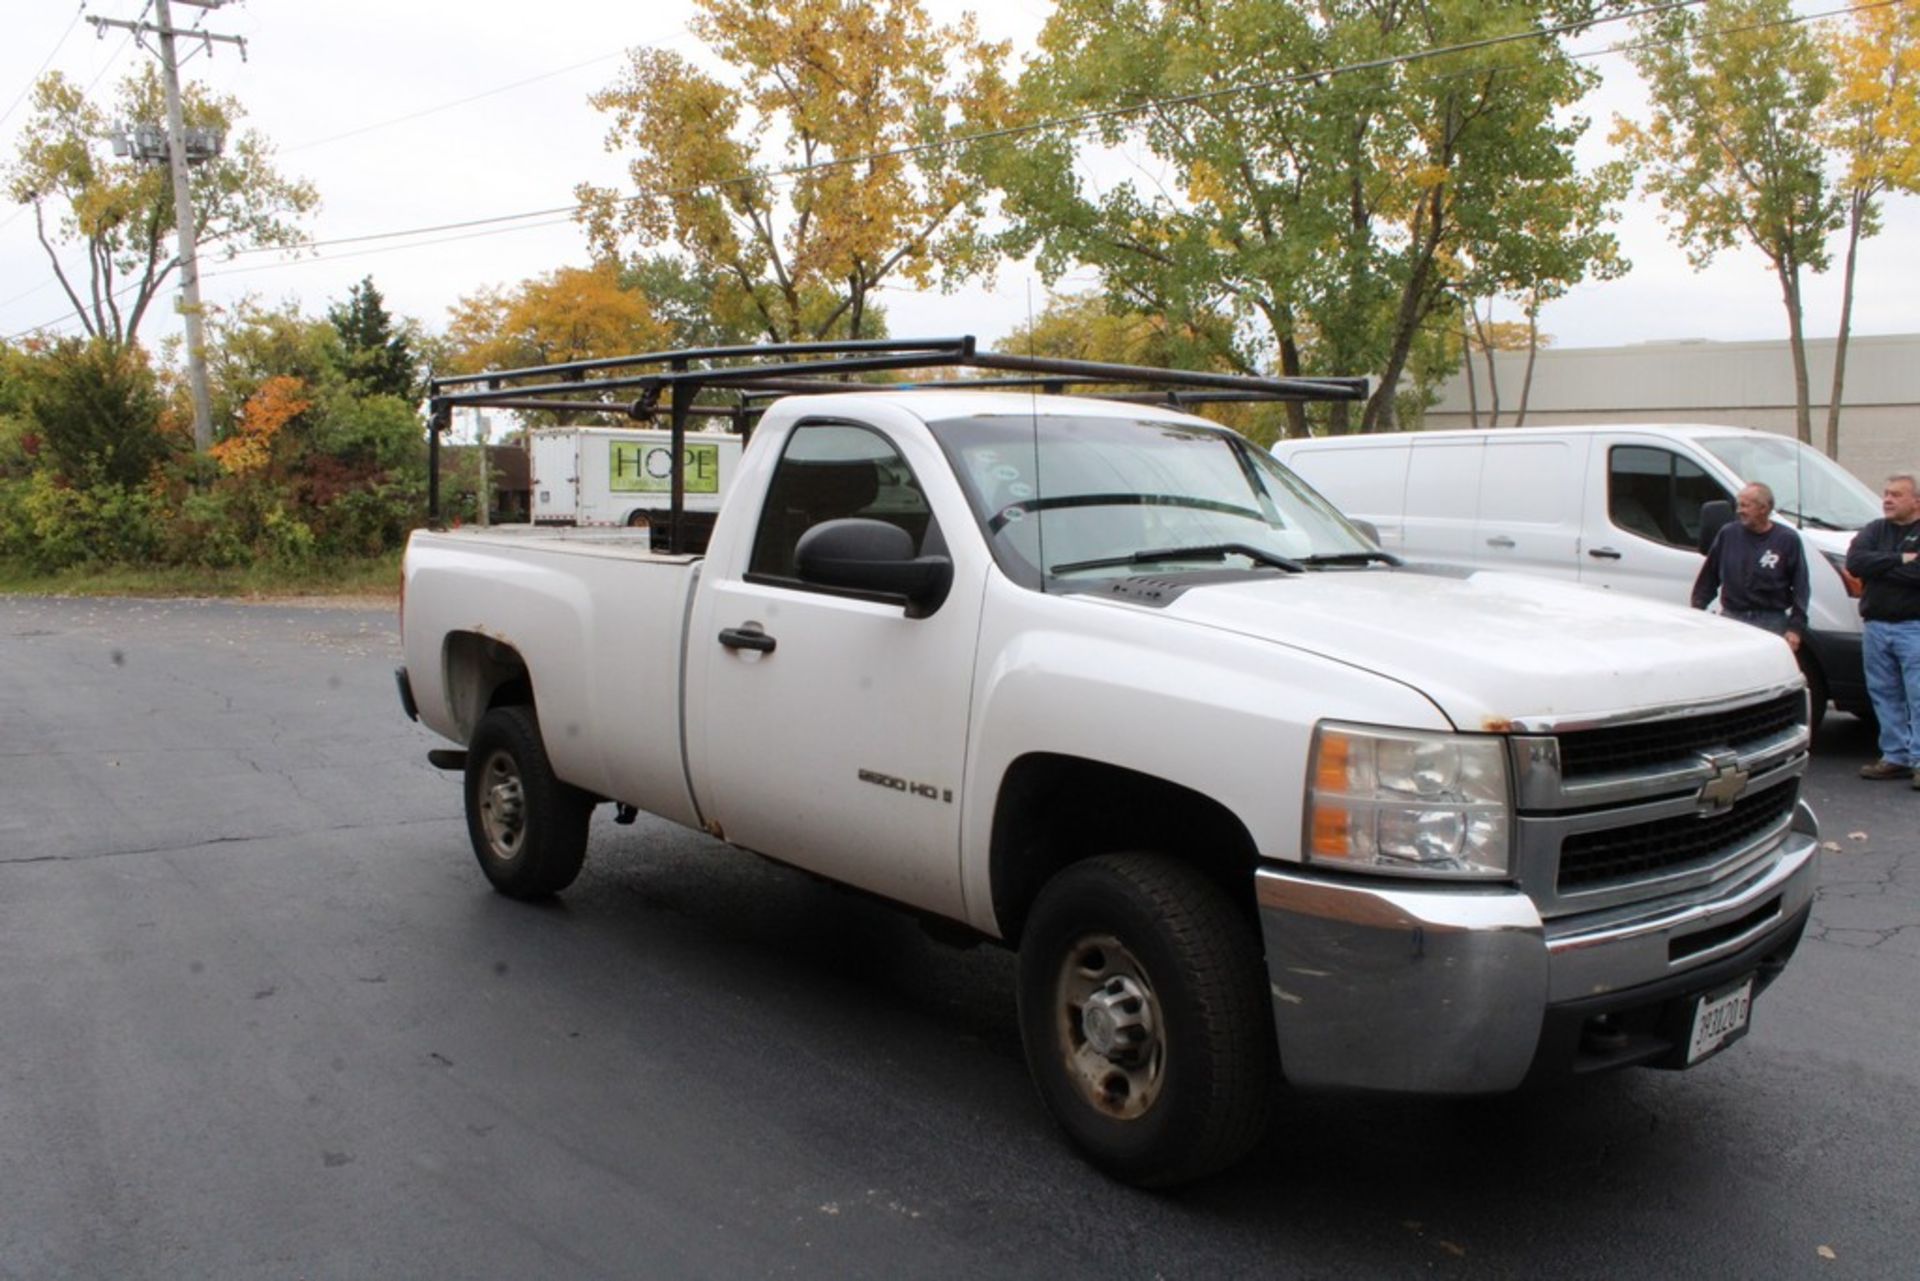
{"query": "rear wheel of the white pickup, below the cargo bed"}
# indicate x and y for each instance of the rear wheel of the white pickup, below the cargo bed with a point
(529, 829)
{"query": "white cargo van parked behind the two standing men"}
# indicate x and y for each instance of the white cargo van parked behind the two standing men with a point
(1614, 506)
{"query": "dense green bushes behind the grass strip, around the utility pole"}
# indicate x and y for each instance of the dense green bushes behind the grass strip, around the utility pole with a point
(95, 470)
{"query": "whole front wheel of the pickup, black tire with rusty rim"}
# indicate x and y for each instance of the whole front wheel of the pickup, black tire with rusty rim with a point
(1143, 1011)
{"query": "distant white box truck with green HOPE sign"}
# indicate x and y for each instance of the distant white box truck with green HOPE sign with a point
(625, 475)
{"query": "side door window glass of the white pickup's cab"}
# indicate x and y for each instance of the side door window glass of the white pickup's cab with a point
(830, 471)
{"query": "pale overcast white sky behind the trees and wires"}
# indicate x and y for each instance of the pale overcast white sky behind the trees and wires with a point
(333, 85)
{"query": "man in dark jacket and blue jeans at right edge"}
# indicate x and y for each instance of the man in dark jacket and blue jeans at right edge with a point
(1886, 560)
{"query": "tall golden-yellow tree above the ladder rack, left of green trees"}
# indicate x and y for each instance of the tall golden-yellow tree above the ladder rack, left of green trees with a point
(863, 99)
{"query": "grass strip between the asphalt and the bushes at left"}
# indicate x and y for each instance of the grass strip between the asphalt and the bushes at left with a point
(370, 581)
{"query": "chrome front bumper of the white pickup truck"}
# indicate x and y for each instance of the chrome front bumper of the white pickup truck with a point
(1451, 990)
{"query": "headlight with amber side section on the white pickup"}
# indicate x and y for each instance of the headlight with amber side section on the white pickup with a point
(1408, 804)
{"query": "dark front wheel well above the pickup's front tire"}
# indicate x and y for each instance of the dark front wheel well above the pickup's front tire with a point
(1055, 811)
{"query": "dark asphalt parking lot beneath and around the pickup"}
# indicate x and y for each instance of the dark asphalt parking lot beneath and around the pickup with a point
(262, 1017)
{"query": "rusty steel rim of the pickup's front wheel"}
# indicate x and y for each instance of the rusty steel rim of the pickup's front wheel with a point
(1111, 1032)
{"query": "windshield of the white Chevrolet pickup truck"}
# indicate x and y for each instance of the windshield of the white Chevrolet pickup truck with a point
(1095, 496)
